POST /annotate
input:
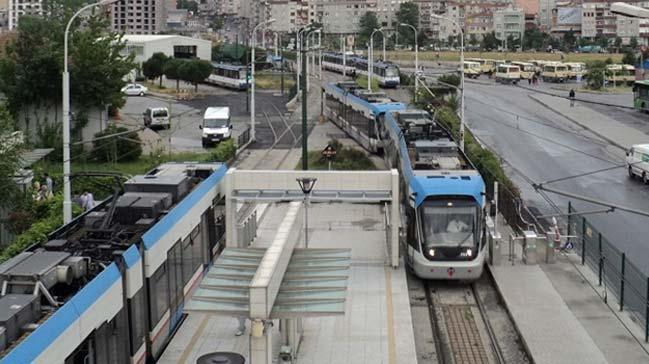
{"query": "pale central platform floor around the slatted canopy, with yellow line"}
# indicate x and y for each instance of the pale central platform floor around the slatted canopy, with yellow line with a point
(377, 324)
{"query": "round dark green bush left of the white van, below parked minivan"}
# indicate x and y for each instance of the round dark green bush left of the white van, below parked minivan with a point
(120, 148)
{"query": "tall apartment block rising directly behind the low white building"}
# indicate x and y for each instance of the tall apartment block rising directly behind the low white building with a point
(139, 16)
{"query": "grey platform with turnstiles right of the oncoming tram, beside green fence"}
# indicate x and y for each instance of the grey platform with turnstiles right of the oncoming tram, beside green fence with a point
(560, 316)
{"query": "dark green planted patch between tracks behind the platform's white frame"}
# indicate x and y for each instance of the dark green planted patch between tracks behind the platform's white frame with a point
(347, 159)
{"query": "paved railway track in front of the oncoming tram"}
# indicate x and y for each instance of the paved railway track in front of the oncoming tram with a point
(470, 325)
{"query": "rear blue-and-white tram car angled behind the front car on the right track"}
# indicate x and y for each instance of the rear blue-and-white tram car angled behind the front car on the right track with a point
(356, 111)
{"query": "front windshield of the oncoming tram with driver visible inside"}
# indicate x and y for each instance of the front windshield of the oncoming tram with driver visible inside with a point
(449, 223)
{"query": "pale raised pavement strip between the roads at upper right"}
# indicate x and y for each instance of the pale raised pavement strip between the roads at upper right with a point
(601, 125)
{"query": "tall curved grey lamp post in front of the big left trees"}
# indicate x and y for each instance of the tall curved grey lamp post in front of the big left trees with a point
(67, 190)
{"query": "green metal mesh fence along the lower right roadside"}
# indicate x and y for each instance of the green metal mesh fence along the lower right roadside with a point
(614, 270)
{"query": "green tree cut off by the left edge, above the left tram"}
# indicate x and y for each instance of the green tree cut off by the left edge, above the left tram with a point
(11, 148)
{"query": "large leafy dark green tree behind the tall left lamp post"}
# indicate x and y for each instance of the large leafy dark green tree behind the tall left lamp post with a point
(30, 71)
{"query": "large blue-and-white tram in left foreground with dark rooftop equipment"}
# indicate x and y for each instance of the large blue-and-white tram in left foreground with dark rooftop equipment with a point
(130, 265)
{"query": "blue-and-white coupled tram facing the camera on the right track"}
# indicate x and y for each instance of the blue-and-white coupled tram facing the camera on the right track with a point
(443, 193)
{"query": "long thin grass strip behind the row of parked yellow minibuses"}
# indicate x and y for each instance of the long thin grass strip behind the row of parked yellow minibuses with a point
(511, 56)
